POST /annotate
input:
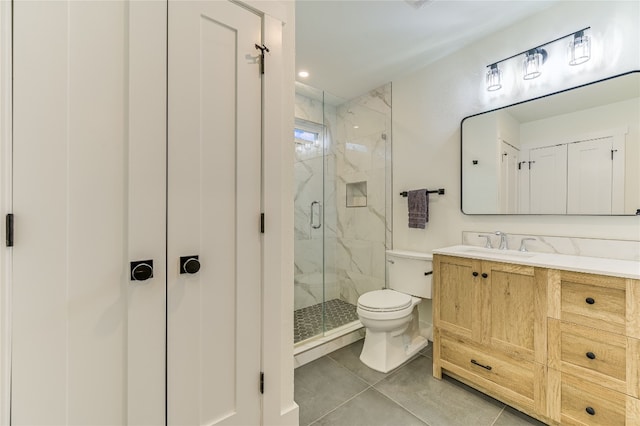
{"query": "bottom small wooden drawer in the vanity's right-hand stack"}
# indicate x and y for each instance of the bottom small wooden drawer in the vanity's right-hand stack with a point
(584, 403)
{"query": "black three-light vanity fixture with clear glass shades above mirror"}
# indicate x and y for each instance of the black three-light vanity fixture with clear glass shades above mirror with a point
(579, 51)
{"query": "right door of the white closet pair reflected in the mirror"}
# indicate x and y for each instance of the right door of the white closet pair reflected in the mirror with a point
(590, 177)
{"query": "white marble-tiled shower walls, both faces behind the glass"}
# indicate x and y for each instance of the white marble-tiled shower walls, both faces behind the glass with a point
(358, 149)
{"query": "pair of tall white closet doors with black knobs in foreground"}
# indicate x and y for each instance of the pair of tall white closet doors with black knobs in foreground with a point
(127, 148)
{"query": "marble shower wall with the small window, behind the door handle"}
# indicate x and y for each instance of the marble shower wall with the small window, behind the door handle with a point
(309, 187)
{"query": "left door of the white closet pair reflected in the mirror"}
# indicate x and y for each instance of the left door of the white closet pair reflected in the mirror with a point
(548, 180)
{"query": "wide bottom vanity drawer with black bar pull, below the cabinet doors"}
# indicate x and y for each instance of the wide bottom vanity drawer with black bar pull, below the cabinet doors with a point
(514, 374)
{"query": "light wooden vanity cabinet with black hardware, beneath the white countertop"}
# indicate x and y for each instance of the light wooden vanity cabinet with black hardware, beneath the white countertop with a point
(561, 346)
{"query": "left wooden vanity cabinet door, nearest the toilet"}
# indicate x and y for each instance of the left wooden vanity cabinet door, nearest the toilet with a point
(457, 298)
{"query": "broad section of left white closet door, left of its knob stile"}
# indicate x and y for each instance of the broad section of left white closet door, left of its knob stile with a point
(70, 268)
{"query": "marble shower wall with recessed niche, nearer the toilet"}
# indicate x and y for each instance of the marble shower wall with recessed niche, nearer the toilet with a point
(363, 148)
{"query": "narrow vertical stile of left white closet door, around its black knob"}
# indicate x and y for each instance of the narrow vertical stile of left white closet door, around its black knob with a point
(146, 172)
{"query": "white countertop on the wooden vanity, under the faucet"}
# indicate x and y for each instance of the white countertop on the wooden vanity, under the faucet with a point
(590, 265)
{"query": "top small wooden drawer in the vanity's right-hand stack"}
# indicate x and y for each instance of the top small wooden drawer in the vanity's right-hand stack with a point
(594, 301)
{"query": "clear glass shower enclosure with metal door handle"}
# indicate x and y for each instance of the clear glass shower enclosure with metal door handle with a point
(342, 153)
